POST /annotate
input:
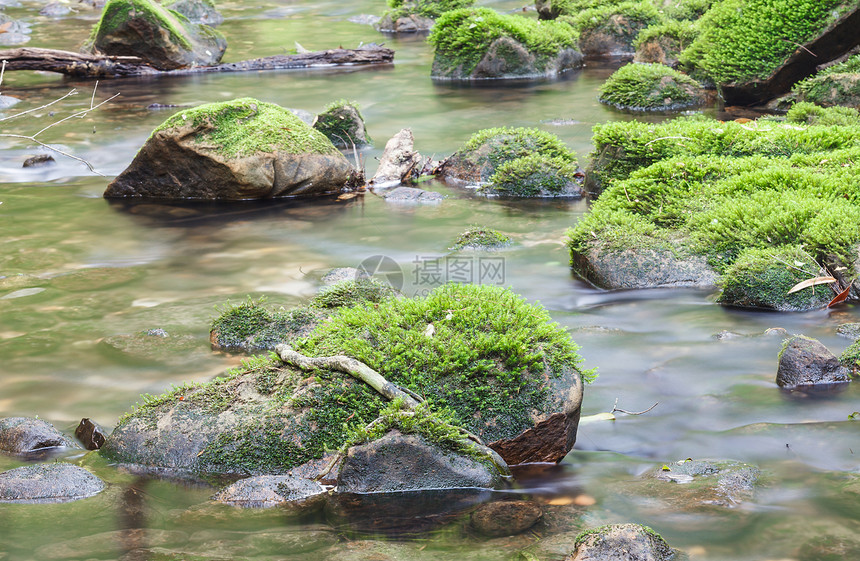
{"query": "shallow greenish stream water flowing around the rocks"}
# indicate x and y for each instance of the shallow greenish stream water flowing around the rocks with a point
(81, 274)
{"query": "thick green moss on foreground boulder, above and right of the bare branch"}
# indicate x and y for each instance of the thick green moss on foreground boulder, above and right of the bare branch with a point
(490, 352)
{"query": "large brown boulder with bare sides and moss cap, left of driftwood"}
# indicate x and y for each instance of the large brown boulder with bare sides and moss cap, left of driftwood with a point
(234, 150)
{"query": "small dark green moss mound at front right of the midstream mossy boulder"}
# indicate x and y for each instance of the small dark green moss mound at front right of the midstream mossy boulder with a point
(535, 175)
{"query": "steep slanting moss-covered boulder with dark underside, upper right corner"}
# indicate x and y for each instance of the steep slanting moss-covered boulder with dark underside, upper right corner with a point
(754, 52)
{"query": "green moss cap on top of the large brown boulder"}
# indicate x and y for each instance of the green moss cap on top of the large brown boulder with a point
(245, 126)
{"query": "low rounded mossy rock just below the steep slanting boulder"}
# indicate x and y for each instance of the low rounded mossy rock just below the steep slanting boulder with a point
(650, 87)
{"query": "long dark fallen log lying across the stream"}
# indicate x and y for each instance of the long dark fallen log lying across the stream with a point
(81, 65)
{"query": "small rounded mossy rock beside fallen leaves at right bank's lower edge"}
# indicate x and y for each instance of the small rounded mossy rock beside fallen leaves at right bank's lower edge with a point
(761, 278)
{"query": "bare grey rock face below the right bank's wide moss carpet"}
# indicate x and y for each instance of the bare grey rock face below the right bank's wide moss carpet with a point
(634, 267)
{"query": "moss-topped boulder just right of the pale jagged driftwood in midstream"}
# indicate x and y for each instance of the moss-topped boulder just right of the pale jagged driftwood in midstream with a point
(519, 162)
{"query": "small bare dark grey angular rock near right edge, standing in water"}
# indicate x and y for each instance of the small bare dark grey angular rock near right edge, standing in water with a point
(807, 362)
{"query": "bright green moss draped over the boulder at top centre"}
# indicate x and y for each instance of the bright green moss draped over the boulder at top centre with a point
(462, 37)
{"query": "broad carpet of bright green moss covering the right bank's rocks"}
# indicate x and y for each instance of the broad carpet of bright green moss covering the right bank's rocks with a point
(765, 204)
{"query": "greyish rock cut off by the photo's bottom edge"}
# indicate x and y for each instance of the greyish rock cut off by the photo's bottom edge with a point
(616, 542)
